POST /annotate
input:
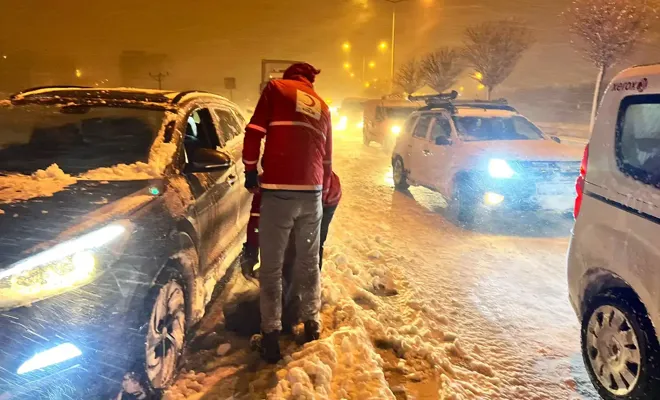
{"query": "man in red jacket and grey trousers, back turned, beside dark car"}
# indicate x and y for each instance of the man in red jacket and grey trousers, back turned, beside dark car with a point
(297, 165)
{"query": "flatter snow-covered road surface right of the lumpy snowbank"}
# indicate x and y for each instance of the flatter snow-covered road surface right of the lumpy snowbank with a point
(502, 286)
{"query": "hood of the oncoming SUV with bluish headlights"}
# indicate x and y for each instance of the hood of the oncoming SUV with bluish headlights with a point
(524, 150)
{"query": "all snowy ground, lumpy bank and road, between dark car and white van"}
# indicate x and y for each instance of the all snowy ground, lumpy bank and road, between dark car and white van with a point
(414, 307)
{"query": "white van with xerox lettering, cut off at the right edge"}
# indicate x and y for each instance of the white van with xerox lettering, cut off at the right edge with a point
(614, 259)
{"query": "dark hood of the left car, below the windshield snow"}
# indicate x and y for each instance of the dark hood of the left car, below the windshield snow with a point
(35, 224)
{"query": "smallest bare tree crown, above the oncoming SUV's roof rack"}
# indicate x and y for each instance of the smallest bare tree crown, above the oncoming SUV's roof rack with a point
(441, 68)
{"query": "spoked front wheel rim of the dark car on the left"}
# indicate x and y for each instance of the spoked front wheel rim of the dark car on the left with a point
(166, 331)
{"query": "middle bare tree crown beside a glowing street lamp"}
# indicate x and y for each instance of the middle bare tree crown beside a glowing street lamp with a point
(494, 48)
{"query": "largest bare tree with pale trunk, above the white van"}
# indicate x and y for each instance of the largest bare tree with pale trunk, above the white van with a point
(607, 31)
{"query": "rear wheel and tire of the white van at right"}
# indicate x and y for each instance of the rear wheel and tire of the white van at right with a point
(631, 348)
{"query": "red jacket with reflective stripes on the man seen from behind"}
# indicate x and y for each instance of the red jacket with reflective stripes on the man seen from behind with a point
(297, 127)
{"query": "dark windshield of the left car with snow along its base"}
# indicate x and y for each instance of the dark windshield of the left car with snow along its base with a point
(62, 156)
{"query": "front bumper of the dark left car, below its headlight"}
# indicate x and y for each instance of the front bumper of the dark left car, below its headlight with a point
(102, 321)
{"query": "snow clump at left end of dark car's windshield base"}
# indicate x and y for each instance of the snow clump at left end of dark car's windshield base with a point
(42, 183)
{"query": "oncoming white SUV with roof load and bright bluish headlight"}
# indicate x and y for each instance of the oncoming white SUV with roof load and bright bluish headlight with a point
(484, 154)
